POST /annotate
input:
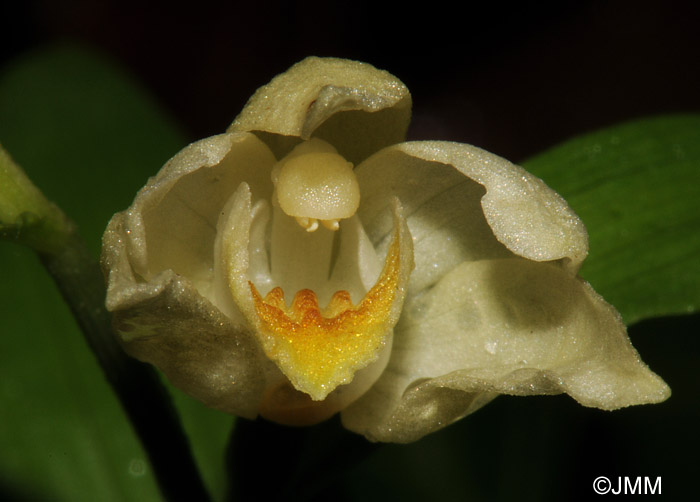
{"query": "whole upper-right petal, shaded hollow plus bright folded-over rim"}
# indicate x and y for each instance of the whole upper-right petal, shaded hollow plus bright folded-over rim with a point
(463, 203)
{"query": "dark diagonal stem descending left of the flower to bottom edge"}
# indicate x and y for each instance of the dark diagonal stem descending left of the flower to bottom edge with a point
(138, 388)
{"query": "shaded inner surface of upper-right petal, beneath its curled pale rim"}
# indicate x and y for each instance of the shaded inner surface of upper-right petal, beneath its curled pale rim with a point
(442, 208)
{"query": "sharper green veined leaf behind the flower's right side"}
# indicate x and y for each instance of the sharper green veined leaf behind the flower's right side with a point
(636, 186)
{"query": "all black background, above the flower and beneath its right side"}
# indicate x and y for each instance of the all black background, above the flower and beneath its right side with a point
(511, 79)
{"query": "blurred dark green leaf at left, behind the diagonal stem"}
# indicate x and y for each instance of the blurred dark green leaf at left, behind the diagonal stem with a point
(88, 137)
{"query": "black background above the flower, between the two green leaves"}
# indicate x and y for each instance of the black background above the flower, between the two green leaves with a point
(513, 78)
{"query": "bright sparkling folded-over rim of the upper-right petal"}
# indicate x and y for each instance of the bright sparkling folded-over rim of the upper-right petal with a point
(528, 217)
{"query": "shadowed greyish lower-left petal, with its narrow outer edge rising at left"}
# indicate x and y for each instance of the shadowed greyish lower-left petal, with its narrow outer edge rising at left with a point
(166, 322)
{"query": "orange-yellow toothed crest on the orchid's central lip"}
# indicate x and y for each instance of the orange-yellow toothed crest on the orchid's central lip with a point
(319, 349)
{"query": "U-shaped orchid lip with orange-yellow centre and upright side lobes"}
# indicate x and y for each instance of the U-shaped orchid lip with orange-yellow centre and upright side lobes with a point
(317, 350)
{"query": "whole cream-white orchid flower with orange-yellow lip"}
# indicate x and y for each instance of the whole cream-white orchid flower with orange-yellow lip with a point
(309, 262)
